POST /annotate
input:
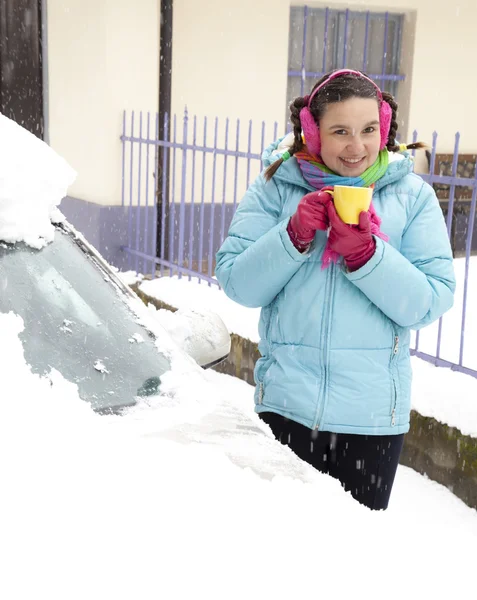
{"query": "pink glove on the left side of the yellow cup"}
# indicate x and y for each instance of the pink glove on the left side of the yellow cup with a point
(310, 215)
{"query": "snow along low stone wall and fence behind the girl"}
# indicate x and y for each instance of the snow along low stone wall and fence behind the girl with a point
(434, 389)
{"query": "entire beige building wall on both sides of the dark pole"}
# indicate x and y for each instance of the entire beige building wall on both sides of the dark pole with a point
(229, 59)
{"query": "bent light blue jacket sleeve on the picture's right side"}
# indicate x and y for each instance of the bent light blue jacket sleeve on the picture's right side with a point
(414, 286)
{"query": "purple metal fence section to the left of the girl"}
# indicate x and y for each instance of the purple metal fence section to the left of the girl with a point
(198, 199)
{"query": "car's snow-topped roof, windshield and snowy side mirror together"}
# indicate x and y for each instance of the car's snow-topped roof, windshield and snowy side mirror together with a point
(78, 316)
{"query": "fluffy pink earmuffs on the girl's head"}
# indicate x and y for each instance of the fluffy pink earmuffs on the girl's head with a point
(311, 131)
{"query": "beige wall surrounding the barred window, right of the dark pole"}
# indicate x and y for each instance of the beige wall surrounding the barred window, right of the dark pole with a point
(230, 58)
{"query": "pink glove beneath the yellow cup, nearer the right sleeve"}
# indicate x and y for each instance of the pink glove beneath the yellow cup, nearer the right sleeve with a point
(355, 243)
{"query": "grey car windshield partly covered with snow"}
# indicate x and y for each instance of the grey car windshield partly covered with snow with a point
(78, 322)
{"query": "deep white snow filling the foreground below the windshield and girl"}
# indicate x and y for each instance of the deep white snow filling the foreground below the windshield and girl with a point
(189, 496)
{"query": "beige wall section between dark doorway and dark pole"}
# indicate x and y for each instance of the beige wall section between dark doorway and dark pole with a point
(102, 58)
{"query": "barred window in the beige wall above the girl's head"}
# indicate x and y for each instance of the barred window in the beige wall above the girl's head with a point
(322, 39)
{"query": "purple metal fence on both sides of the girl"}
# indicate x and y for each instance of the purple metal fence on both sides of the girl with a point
(207, 181)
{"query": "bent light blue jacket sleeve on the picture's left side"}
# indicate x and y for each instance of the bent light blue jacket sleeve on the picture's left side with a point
(257, 259)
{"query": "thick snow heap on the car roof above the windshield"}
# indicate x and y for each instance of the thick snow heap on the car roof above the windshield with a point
(33, 181)
